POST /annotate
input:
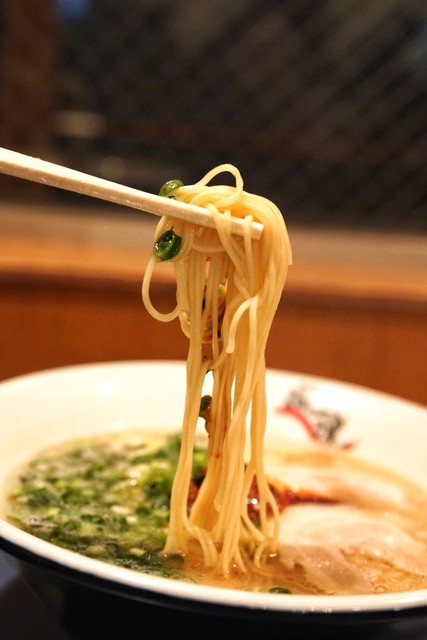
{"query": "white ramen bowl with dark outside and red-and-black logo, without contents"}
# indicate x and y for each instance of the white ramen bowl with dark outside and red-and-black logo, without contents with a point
(91, 597)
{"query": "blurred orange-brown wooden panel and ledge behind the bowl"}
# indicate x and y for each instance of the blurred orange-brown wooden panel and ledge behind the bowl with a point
(70, 293)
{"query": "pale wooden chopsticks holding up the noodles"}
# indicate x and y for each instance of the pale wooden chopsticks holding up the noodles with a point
(37, 170)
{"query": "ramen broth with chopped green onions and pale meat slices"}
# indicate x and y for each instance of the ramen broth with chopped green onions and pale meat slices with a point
(346, 526)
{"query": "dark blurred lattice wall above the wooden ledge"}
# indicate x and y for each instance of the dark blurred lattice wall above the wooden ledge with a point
(322, 105)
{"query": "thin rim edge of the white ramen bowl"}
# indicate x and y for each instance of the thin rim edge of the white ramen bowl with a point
(188, 595)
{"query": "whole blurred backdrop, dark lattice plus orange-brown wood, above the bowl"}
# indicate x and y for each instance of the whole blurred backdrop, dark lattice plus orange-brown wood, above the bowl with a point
(321, 105)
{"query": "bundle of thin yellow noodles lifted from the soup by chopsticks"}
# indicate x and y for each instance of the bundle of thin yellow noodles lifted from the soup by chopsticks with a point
(228, 290)
